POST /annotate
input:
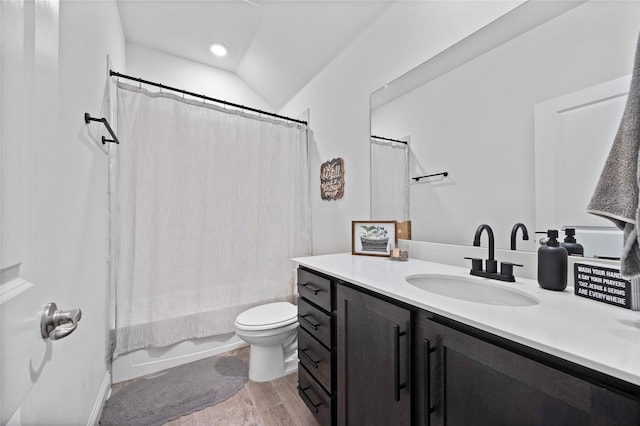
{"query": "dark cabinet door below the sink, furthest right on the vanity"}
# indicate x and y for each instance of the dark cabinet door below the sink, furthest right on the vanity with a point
(464, 380)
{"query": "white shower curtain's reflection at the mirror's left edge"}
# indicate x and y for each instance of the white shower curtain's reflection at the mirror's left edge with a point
(389, 180)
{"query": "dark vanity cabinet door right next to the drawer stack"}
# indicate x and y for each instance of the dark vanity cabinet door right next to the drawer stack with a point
(374, 366)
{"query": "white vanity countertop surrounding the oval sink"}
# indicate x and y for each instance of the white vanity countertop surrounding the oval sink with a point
(596, 335)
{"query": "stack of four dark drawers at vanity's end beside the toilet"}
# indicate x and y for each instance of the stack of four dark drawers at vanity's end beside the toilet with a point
(316, 344)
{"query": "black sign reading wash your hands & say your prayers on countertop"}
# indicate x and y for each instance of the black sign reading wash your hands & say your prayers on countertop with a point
(602, 284)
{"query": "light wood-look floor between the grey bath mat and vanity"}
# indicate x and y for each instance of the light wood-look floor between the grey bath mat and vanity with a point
(274, 403)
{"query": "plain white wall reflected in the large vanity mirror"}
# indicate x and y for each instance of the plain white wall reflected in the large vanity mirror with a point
(477, 121)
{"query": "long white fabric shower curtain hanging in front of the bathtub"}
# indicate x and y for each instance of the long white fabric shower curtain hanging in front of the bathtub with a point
(208, 208)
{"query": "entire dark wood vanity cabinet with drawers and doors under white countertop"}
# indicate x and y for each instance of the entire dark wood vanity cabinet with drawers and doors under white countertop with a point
(366, 359)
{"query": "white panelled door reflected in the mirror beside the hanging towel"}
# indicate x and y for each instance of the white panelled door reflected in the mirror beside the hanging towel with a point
(573, 137)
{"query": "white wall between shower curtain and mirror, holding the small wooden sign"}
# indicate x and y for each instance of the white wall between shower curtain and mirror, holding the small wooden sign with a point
(407, 34)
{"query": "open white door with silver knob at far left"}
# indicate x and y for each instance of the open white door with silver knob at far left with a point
(26, 358)
